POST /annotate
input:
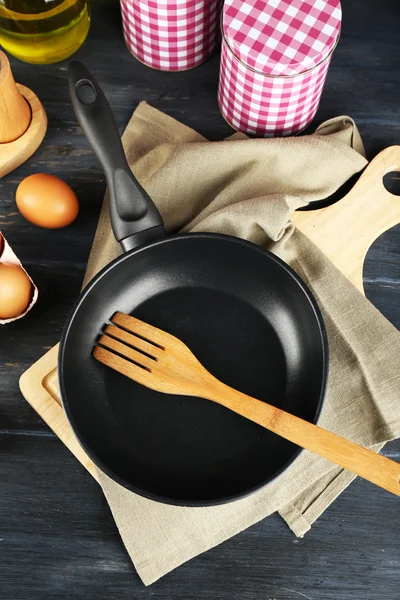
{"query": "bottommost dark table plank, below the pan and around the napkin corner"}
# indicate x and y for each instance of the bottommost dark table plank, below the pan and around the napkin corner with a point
(61, 542)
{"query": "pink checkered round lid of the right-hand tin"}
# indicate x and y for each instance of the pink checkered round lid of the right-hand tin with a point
(281, 37)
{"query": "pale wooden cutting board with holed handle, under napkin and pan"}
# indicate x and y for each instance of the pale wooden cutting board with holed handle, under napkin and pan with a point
(343, 231)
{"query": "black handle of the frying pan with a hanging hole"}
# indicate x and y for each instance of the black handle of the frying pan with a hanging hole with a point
(134, 218)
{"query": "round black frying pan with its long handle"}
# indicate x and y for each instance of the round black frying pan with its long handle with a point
(246, 315)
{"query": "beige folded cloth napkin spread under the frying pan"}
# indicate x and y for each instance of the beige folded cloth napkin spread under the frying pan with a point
(249, 188)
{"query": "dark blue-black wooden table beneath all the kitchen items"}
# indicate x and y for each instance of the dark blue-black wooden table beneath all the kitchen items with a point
(57, 536)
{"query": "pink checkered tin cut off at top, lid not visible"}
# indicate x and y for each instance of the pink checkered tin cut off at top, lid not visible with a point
(171, 35)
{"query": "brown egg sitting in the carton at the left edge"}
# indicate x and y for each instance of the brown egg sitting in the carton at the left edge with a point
(15, 291)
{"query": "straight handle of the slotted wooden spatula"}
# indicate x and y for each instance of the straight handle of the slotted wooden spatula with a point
(368, 464)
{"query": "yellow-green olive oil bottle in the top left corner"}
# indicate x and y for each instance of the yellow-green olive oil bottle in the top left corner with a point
(43, 31)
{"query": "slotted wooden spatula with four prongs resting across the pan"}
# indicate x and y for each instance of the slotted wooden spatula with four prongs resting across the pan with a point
(160, 361)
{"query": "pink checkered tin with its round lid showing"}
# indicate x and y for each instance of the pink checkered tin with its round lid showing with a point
(274, 61)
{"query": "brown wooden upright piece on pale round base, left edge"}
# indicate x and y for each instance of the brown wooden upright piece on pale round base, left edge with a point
(15, 112)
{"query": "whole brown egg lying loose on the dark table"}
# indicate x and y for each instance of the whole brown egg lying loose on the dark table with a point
(47, 201)
